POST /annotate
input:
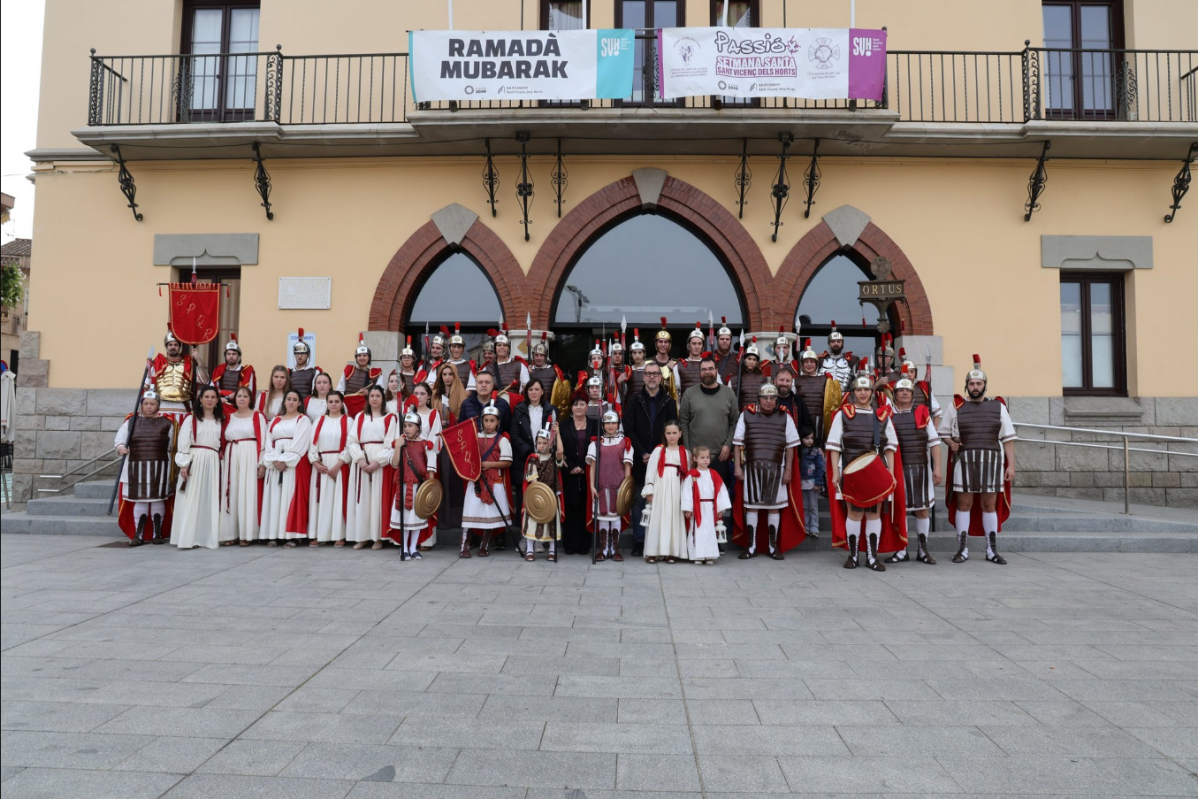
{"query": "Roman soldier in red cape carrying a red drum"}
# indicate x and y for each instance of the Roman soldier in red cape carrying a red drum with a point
(867, 433)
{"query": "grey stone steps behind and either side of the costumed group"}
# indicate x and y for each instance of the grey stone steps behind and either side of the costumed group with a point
(1037, 525)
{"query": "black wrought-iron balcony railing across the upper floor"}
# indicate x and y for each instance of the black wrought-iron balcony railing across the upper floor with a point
(922, 87)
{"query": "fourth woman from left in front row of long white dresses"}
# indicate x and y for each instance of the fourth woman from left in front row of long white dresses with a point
(330, 456)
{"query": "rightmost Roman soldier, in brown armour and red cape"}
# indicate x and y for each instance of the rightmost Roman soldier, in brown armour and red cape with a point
(983, 427)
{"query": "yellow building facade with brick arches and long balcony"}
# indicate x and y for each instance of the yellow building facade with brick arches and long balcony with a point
(376, 193)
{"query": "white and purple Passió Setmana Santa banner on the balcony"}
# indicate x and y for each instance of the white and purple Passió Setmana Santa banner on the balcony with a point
(808, 63)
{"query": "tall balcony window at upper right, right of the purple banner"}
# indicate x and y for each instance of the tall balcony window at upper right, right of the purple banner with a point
(1081, 69)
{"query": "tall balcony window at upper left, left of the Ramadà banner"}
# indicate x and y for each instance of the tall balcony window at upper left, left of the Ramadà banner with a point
(220, 82)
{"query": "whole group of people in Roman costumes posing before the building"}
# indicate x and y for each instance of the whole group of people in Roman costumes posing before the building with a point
(214, 461)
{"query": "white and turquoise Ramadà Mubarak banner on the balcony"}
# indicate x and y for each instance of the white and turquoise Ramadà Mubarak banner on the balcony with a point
(522, 65)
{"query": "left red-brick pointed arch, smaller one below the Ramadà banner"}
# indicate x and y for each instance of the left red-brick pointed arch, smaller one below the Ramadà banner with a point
(423, 252)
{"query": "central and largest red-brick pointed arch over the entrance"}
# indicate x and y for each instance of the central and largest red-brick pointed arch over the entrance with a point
(680, 202)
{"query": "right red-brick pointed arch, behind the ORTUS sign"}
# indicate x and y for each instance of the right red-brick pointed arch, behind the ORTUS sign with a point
(821, 244)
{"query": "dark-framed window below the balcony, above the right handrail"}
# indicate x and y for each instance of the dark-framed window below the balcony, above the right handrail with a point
(1092, 335)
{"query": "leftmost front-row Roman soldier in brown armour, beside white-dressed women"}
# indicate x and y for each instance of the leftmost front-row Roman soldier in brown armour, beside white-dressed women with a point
(148, 477)
